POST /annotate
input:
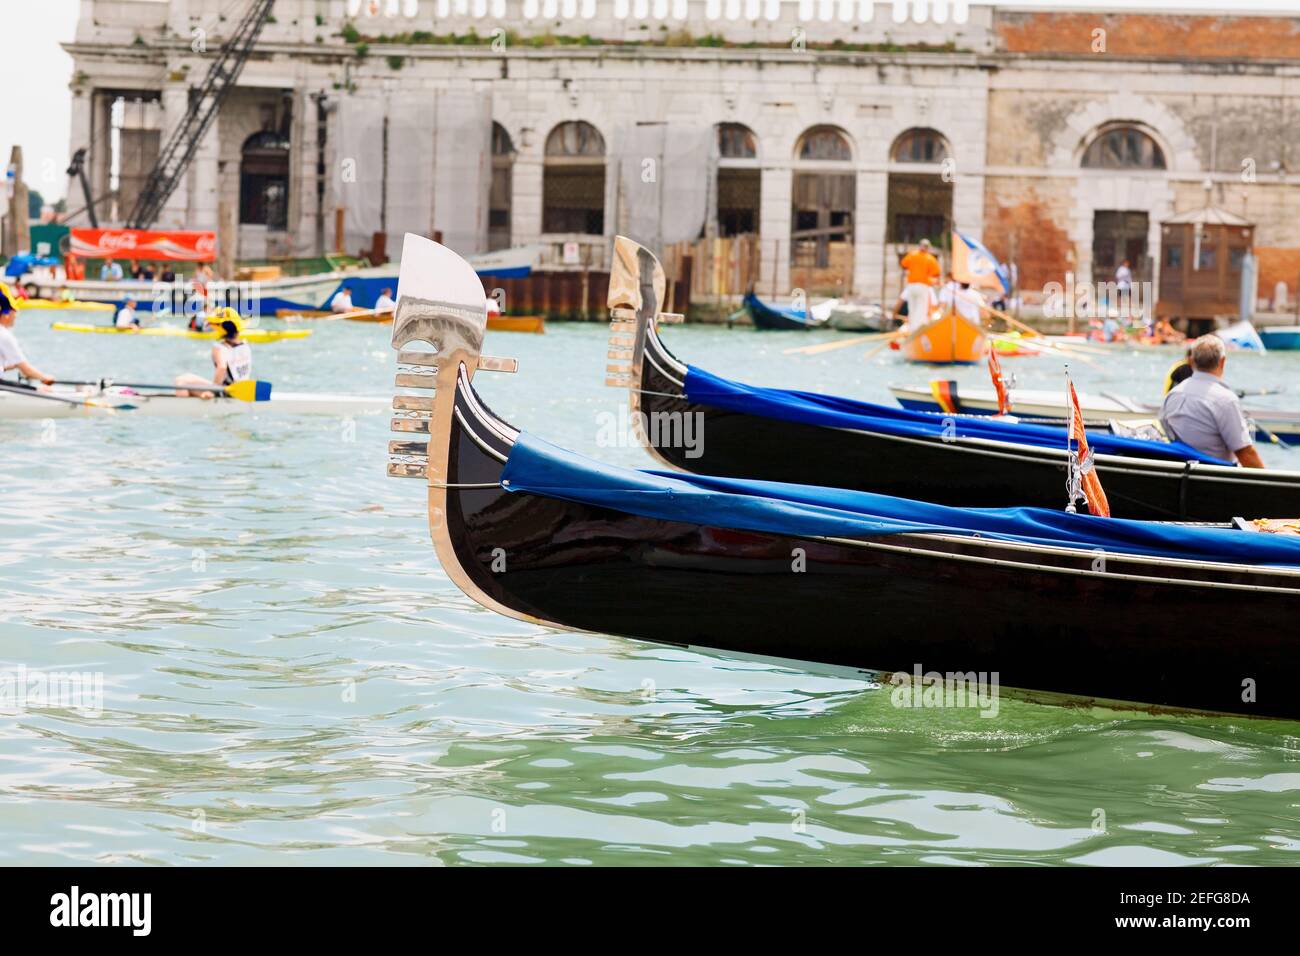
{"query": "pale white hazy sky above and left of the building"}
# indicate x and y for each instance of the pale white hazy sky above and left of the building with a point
(34, 75)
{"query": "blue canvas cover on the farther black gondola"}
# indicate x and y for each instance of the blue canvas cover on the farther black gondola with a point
(833, 412)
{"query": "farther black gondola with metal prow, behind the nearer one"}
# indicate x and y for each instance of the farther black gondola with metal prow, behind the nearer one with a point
(946, 468)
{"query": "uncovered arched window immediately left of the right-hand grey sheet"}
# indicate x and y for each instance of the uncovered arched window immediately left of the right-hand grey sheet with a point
(574, 180)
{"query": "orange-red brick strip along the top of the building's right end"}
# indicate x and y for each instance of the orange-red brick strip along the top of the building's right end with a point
(1141, 34)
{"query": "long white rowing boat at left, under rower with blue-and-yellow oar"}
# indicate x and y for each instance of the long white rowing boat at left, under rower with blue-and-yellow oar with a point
(118, 403)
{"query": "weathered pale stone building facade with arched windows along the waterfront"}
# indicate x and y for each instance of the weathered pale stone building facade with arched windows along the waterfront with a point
(834, 129)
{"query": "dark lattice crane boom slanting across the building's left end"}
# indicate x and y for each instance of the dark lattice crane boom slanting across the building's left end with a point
(205, 102)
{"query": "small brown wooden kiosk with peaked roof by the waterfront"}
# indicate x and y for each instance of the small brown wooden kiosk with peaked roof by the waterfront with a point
(1201, 267)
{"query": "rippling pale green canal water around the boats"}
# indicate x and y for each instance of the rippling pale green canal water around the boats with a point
(289, 677)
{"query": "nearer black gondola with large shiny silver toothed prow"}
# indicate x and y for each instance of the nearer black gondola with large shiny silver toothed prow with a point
(1059, 618)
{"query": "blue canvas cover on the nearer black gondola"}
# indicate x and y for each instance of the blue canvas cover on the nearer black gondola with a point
(777, 508)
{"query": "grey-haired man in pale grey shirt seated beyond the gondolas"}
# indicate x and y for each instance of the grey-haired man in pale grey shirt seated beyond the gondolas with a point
(1204, 413)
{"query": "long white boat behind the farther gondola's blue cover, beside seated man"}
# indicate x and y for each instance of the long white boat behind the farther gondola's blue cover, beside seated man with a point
(1097, 408)
